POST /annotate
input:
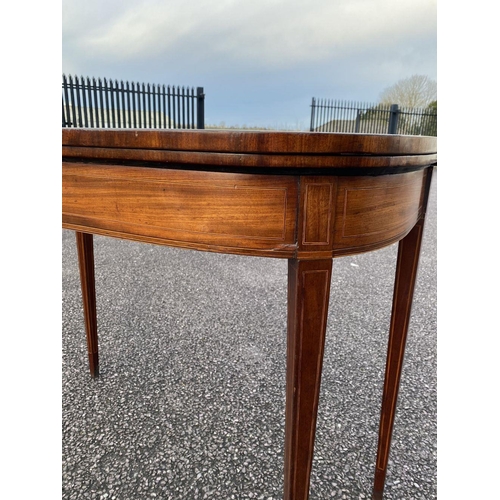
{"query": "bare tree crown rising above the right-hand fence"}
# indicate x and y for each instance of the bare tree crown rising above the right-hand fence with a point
(417, 91)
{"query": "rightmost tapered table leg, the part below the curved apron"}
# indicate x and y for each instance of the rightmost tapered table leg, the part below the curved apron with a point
(406, 271)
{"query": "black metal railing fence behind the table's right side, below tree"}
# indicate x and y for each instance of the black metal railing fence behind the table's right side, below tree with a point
(342, 116)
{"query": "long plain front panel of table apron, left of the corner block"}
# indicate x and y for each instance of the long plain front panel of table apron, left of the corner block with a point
(227, 212)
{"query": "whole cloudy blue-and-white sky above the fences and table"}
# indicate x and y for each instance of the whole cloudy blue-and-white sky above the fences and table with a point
(259, 61)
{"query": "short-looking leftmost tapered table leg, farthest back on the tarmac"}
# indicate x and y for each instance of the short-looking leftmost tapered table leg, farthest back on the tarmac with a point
(85, 245)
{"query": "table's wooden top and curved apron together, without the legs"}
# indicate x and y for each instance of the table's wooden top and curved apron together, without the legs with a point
(239, 192)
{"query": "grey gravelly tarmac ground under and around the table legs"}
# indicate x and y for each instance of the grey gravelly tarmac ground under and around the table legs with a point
(191, 395)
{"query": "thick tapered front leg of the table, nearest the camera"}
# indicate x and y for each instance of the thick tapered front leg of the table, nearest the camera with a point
(308, 295)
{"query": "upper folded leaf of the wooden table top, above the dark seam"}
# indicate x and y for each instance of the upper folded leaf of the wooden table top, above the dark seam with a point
(260, 142)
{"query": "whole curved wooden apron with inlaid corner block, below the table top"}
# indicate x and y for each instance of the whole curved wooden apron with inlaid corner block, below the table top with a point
(285, 216)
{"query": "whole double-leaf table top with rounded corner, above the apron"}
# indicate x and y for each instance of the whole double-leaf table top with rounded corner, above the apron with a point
(243, 150)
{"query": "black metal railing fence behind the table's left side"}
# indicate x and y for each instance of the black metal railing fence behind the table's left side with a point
(102, 103)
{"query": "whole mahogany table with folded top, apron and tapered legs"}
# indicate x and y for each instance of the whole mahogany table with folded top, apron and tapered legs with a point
(305, 197)
